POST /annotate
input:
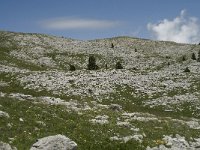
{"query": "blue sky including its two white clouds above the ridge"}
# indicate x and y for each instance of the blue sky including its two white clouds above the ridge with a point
(91, 19)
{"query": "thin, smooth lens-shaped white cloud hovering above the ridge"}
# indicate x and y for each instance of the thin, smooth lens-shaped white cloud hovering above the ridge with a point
(77, 23)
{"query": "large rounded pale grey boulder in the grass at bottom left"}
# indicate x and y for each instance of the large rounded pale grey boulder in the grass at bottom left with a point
(56, 142)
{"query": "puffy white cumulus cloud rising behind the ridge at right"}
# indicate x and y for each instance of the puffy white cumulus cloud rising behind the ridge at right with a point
(182, 29)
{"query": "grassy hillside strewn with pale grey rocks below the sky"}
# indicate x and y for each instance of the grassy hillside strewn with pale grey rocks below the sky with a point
(154, 101)
